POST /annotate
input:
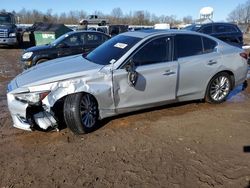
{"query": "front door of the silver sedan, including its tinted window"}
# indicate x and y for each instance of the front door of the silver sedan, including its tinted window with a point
(156, 81)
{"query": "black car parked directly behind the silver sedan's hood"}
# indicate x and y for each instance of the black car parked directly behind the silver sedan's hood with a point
(71, 43)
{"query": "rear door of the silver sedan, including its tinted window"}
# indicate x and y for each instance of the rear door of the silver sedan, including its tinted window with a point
(197, 63)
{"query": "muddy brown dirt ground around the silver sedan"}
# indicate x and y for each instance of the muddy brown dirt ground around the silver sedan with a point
(186, 145)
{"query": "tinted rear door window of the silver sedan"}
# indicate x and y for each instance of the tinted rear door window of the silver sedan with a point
(188, 45)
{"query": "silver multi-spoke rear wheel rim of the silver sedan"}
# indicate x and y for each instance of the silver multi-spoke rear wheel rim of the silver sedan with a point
(220, 88)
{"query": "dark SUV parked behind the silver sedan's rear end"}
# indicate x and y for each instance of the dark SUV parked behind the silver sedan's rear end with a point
(227, 32)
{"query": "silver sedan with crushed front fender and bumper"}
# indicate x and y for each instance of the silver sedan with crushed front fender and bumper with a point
(132, 71)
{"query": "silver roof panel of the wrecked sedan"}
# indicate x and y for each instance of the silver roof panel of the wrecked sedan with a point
(152, 32)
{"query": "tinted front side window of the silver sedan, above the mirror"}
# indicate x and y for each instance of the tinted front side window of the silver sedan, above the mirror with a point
(155, 51)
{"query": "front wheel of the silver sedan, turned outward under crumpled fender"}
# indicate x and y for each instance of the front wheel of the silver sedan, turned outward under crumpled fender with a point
(81, 113)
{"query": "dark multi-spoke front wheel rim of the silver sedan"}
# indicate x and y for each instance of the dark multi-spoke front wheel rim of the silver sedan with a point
(88, 111)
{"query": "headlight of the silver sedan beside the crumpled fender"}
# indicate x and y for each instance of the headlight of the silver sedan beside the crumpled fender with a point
(32, 98)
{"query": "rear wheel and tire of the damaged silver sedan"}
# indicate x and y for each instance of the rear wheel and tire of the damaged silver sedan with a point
(218, 88)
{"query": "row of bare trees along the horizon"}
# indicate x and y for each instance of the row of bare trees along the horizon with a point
(116, 16)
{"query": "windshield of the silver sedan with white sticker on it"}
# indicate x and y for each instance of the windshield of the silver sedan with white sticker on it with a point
(112, 50)
